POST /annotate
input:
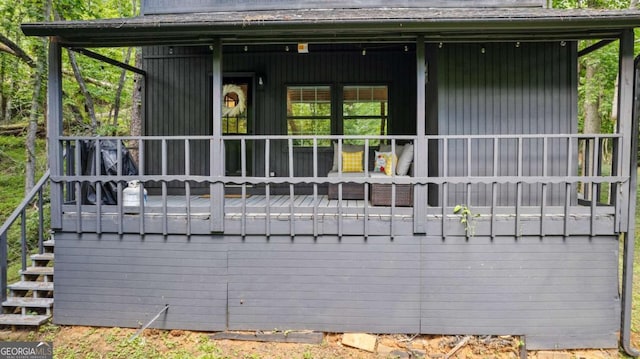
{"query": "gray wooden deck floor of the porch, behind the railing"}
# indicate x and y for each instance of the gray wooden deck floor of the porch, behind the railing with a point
(306, 214)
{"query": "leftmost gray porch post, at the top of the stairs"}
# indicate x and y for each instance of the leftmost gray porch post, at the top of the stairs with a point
(54, 130)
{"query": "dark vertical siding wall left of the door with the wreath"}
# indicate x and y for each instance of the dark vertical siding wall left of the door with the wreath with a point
(177, 103)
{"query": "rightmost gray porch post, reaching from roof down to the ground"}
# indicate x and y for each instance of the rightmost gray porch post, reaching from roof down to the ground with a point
(628, 127)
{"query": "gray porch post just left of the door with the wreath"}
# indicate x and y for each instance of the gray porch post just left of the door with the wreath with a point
(217, 146)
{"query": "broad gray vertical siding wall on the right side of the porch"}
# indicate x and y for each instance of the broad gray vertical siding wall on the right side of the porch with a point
(508, 89)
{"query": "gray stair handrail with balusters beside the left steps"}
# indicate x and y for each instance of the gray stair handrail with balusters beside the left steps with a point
(21, 212)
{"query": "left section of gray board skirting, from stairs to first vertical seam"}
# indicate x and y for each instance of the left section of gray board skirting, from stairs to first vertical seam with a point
(110, 280)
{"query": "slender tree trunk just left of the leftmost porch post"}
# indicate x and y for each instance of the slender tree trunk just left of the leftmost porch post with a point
(32, 132)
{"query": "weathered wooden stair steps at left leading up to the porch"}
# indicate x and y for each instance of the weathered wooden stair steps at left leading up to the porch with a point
(30, 301)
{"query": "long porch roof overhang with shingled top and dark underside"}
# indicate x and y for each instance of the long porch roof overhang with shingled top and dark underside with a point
(344, 25)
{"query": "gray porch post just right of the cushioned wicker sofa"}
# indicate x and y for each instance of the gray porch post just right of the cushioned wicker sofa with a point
(420, 162)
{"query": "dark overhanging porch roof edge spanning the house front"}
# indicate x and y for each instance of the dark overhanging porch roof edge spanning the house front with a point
(273, 24)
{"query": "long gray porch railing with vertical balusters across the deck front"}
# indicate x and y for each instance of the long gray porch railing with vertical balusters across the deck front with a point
(517, 176)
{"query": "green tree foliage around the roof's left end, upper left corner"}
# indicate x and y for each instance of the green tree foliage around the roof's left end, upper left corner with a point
(16, 88)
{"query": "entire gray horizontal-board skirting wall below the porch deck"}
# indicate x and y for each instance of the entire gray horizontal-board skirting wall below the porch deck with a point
(559, 292)
